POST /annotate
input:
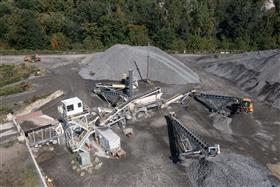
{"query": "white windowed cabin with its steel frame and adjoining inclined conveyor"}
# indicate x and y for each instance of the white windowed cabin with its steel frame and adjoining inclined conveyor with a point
(81, 124)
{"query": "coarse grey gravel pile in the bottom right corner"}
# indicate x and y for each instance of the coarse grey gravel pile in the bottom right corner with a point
(228, 170)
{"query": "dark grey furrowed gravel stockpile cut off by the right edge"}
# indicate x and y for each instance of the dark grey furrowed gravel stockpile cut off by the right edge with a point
(256, 72)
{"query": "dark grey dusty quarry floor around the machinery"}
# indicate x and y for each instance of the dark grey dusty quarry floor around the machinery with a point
(147, 162)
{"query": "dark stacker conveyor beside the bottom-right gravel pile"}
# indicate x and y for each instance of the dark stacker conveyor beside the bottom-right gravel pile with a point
(185, 143)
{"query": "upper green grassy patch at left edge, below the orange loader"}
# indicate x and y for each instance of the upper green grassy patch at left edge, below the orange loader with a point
(11, 73)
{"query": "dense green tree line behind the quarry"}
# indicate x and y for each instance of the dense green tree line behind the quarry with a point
(192, 25)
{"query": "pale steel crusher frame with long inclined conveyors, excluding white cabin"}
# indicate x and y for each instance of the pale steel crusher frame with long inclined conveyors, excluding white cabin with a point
(79, 129)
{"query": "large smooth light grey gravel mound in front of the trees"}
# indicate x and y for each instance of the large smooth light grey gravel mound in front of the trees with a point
(117, 60)
